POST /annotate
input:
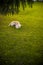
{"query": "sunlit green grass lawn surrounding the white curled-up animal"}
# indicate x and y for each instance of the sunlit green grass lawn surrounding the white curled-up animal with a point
(22, 46)
